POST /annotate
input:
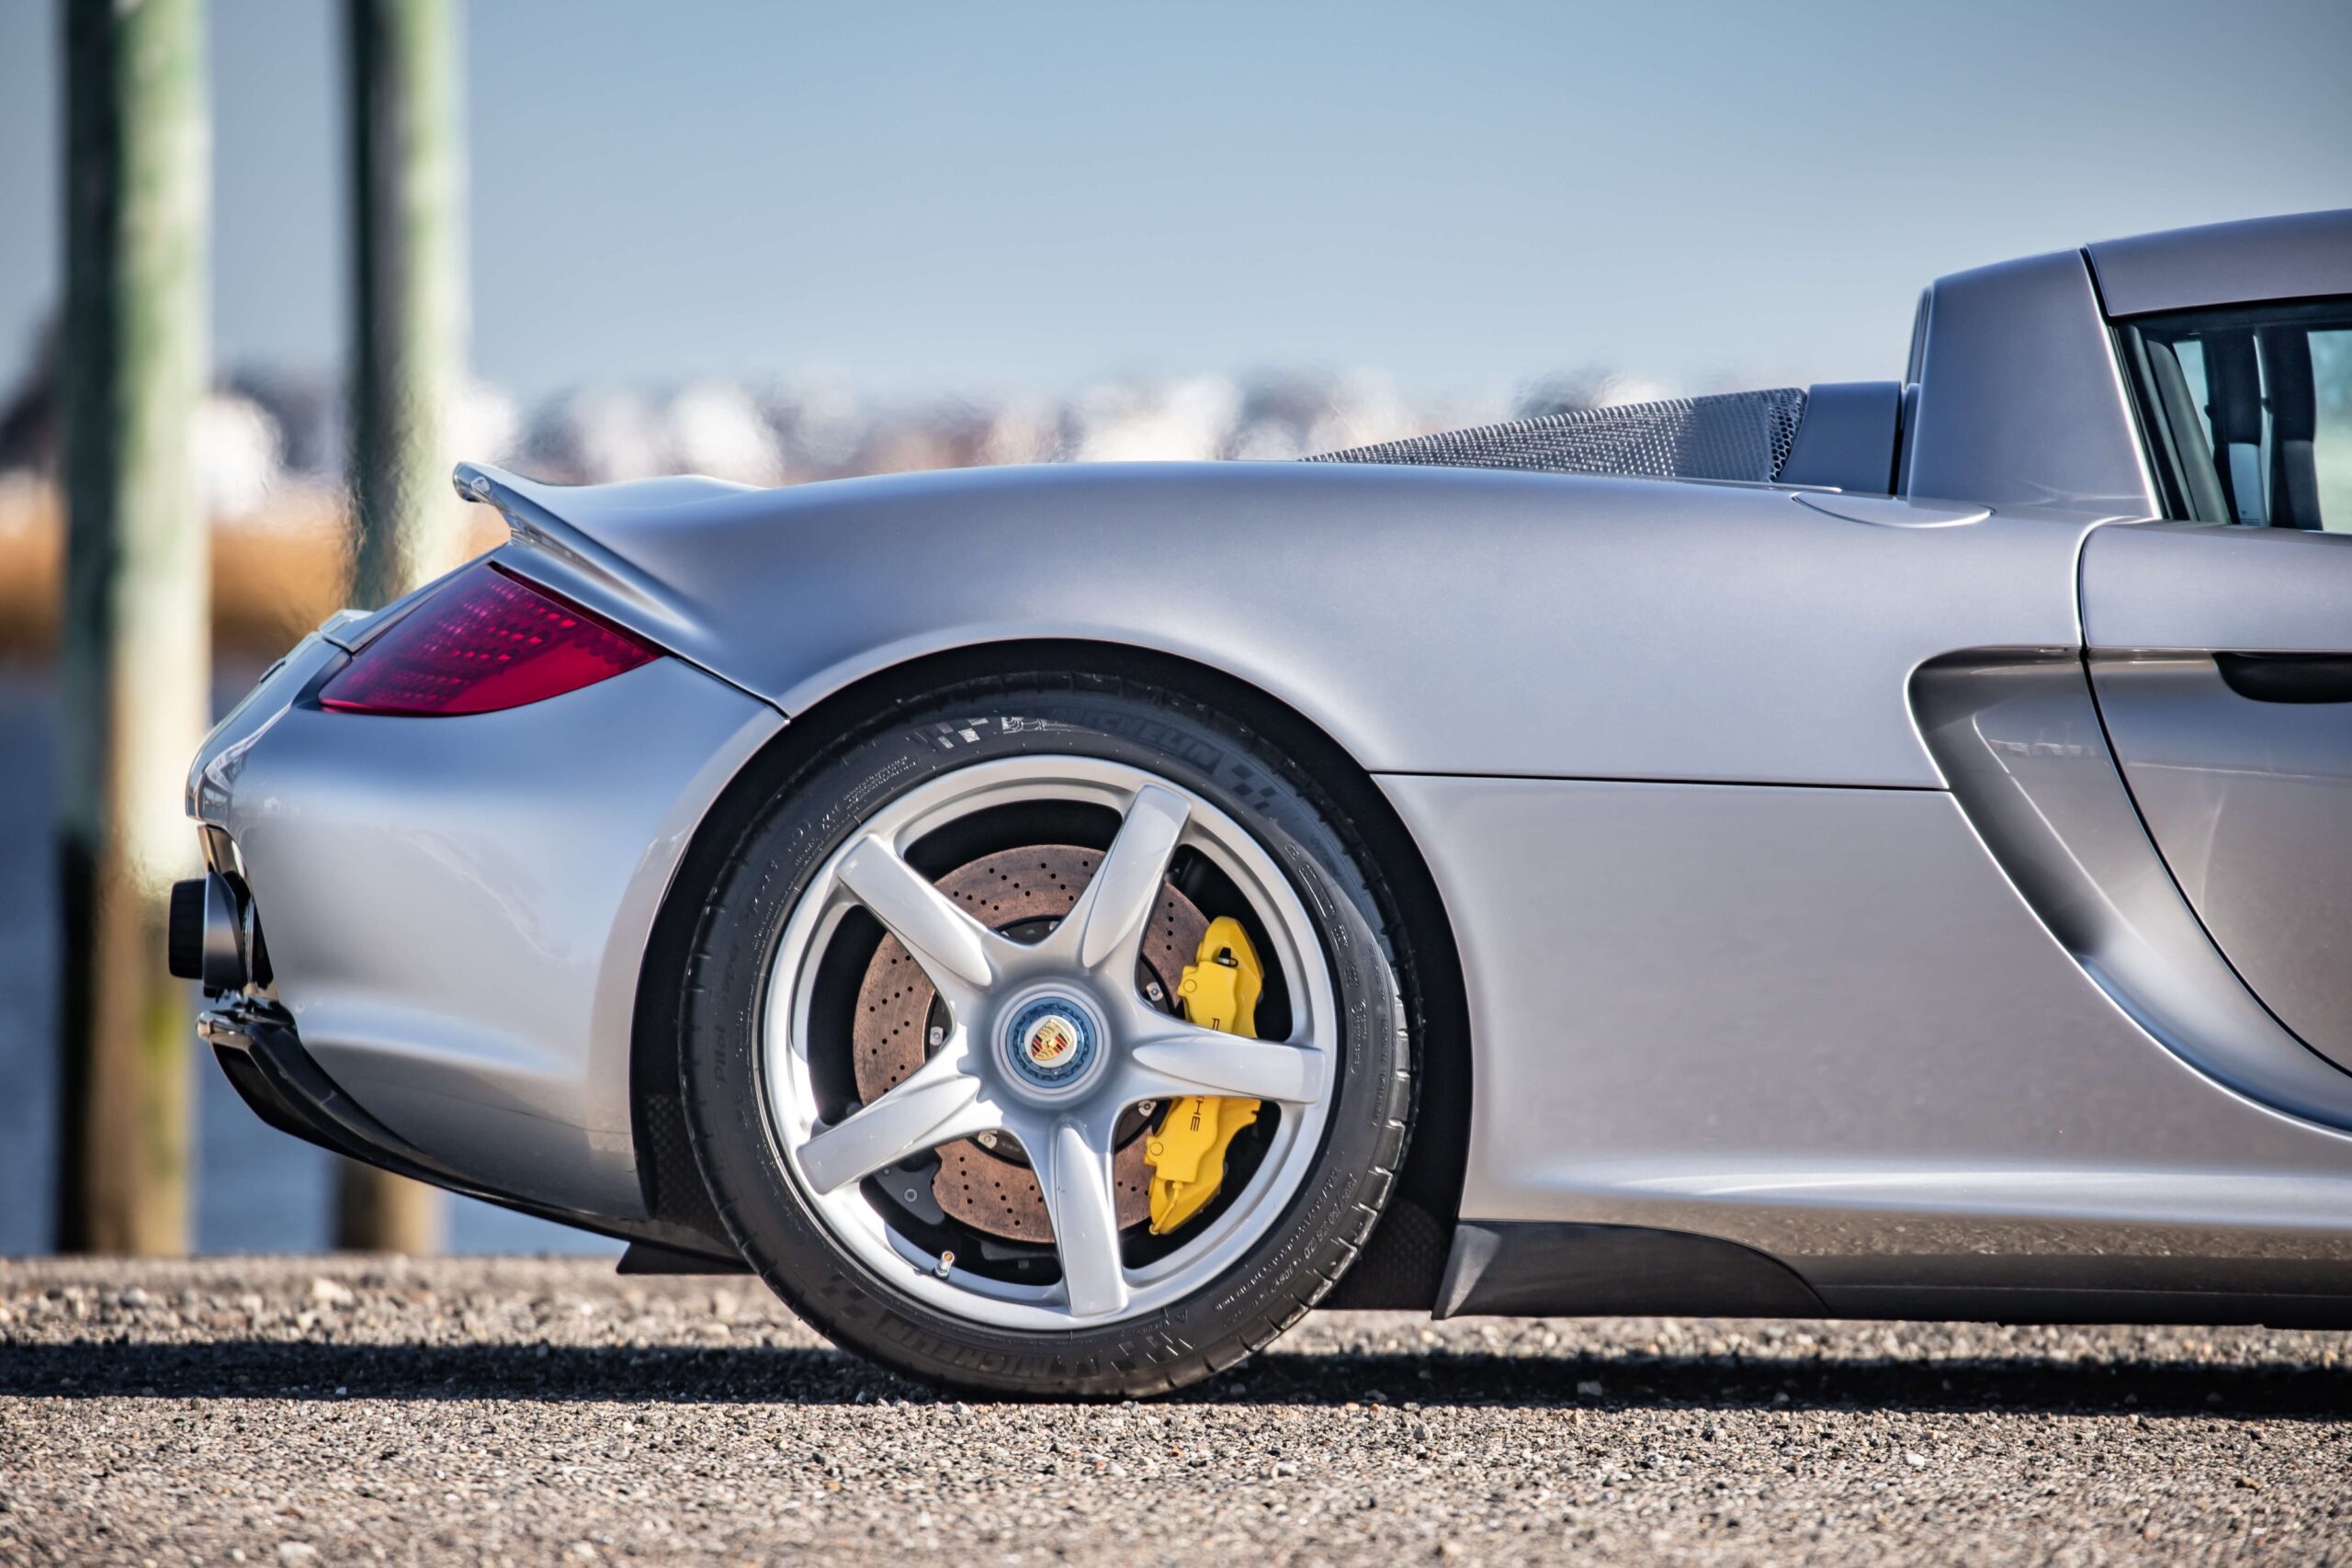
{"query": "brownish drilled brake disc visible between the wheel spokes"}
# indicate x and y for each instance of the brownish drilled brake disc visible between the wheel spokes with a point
(1008, 890)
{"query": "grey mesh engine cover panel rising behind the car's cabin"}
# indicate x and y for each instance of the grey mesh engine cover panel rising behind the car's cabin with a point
(1735, 436)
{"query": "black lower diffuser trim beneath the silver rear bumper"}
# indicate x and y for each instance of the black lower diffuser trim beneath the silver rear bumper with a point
(281, 1083)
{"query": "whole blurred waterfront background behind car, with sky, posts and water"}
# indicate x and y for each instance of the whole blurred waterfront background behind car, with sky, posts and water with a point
(269, 267)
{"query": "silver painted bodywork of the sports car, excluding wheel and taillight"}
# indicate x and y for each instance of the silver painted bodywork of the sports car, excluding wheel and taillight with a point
(1880, 883)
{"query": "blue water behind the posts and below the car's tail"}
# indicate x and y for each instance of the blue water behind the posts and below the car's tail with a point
(255, 1188)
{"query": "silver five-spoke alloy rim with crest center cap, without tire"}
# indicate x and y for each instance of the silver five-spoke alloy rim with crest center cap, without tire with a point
(1050, 1043)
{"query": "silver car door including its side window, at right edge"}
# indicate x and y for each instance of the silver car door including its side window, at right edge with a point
(2221, 648)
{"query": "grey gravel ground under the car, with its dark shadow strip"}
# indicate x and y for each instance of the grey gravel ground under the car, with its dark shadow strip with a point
(319, 1412)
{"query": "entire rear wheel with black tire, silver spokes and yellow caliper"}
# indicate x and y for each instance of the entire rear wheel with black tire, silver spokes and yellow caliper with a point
(942, 1068)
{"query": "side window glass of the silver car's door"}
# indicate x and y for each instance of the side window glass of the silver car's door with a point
(2250, 413)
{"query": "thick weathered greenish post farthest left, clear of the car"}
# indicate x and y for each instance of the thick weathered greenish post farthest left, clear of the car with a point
(133, 645)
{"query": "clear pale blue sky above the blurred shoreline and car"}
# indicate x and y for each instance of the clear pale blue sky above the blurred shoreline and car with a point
(977, 196)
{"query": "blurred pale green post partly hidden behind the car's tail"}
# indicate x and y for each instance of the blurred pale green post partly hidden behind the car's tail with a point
(408, 344)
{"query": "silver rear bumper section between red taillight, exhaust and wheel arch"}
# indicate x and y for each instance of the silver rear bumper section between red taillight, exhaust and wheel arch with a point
(455, 913)
